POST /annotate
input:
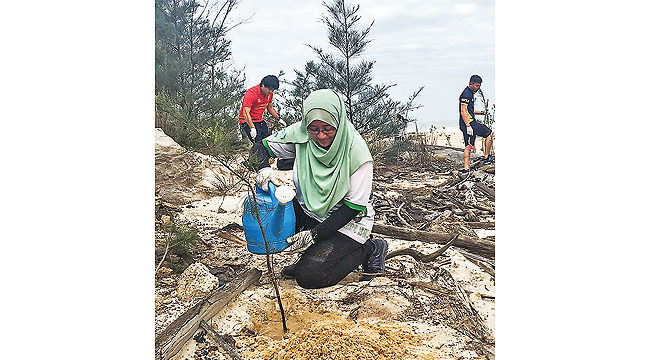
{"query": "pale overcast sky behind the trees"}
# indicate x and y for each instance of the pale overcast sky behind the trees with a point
(435, 43)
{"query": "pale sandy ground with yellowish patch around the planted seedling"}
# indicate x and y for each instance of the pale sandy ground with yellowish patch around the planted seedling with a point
(381, 319)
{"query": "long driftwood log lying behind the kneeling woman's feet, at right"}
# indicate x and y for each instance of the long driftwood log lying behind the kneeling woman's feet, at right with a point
(476, 246)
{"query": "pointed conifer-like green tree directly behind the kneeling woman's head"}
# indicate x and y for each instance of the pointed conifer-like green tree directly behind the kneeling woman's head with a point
(369, 106)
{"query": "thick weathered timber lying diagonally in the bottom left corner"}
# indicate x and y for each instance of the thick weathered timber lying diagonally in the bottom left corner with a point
(171, 340)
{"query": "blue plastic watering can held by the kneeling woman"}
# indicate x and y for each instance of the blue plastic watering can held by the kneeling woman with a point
(278, 221)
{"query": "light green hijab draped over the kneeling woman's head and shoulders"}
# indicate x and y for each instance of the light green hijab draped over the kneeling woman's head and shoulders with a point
(324, 174)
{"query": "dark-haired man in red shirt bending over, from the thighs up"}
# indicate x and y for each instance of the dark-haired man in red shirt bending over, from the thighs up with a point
(256, 100)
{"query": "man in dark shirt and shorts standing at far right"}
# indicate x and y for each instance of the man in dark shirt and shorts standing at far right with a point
(469, 126)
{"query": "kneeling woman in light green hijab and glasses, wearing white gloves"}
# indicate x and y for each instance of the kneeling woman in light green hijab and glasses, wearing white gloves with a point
(332, 173)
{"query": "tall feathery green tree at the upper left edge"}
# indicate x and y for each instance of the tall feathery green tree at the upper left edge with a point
(196, 91)
